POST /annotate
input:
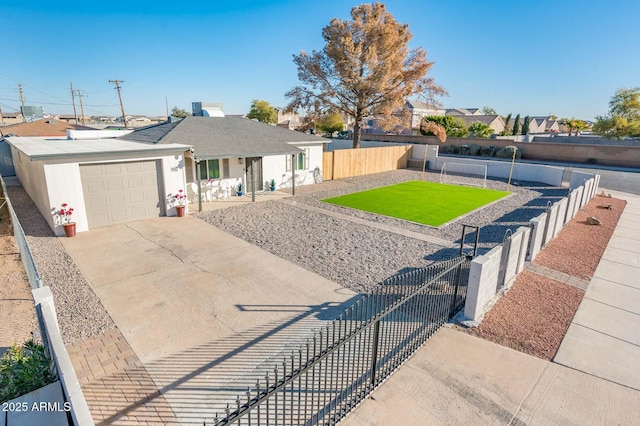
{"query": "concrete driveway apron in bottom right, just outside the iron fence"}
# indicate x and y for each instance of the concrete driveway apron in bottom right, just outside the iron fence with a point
(459, 379)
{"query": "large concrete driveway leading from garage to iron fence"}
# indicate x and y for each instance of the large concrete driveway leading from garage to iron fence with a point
(206, 313)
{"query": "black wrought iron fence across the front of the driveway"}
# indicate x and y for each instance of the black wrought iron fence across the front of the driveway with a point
(333, 372)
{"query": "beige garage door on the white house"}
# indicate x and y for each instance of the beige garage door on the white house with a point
(120, 192)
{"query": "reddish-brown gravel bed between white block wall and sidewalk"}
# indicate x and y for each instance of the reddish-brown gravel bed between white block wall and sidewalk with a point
(534, 315)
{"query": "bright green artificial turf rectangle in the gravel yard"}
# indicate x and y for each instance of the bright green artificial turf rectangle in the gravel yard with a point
(429, 203)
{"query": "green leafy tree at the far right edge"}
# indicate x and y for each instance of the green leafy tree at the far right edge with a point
(623, 119)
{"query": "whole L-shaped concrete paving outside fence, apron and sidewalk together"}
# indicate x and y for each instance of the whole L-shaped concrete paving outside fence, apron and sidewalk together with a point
(594, 379)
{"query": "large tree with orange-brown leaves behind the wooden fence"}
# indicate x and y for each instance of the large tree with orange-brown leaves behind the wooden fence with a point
(366, 69)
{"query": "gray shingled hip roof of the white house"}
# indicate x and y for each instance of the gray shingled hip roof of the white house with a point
(224, 137)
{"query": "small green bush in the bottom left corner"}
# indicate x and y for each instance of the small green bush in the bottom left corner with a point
(24, 369)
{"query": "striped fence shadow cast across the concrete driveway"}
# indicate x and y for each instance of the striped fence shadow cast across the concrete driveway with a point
(199, 382)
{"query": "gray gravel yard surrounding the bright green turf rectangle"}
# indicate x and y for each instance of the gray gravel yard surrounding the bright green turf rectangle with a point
(359, 256)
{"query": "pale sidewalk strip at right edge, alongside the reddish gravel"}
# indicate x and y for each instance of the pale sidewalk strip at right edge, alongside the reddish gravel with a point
(604, 337)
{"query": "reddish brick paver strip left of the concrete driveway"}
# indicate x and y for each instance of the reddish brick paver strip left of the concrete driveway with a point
(117, 387)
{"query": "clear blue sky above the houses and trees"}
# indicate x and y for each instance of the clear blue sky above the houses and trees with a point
(560, 57)
